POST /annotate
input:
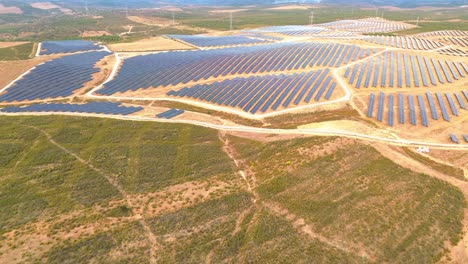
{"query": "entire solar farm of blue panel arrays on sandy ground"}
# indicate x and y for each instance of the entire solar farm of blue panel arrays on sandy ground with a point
(397, 82)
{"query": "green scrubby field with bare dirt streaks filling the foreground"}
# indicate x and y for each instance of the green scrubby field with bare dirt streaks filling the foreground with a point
(197, 207)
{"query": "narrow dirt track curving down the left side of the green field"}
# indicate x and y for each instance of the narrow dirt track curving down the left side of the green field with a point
(154, 245)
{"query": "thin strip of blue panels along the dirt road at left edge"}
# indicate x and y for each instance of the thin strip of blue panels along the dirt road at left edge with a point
(109, 108)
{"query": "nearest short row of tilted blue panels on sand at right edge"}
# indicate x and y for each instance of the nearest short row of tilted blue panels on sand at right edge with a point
(402, 107)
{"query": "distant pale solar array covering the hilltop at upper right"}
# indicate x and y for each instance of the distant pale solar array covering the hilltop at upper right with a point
(370, 25)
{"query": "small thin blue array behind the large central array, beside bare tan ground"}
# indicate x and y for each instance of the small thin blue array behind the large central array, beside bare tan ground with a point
(217, 41)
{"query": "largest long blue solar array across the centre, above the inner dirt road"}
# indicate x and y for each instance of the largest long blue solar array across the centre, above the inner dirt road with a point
(175, 68)
